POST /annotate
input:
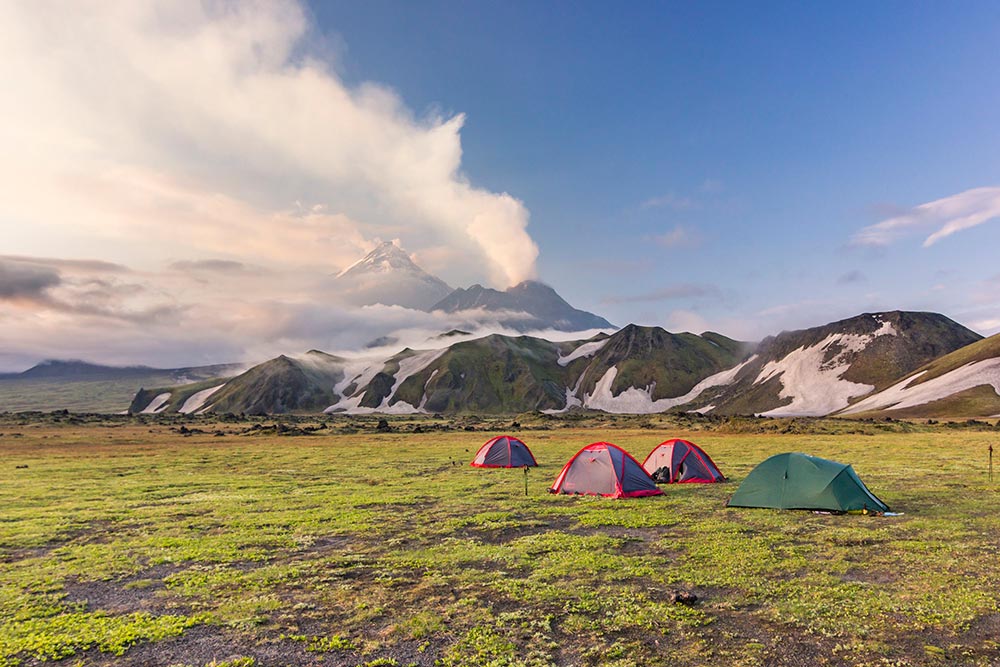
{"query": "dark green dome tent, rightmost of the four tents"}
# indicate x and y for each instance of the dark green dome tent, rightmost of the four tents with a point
(800, 481)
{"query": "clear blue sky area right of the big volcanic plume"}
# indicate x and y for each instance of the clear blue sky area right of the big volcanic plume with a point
(758, 136)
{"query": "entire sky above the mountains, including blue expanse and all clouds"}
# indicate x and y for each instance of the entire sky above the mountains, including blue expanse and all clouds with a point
(180, 179)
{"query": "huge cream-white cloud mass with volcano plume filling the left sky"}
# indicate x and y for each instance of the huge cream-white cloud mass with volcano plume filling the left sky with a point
(180, 179)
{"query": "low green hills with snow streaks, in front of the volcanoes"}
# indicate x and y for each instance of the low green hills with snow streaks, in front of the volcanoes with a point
(864, 364)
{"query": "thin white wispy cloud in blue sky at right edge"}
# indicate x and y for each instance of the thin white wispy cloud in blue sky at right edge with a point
(948, 215)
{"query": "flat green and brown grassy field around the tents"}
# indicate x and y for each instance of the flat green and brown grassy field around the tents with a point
(137, 542)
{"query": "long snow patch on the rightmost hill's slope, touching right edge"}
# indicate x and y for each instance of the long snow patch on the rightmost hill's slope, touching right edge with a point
(906, 394)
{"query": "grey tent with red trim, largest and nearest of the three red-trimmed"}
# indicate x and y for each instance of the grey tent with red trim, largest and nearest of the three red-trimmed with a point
(603, 469)
